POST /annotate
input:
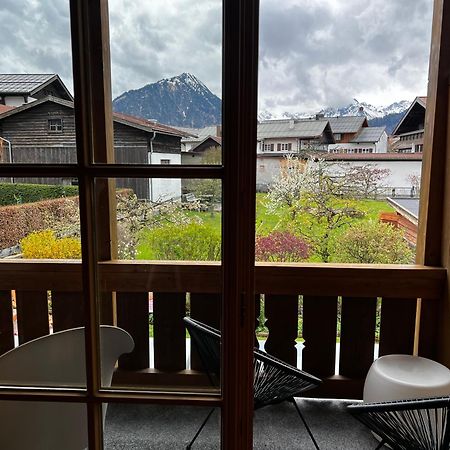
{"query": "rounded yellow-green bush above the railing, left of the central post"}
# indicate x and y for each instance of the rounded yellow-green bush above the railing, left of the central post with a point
(190, 242)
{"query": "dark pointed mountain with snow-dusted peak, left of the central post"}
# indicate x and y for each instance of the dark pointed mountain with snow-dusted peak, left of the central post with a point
(179, 101)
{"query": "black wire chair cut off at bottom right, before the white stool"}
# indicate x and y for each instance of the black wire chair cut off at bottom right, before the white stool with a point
(420, 424)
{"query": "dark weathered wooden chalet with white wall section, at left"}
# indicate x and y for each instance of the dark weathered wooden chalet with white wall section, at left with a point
(43, 132)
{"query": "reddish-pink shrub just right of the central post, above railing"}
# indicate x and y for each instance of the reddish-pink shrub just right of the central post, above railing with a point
(281, 246)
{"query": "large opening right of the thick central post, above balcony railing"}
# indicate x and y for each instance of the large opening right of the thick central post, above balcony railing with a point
(347, 122)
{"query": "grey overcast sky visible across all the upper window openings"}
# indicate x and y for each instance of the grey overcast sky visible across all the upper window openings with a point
(313, 53)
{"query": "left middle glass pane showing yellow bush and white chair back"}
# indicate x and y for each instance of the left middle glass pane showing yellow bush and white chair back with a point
(42, 296)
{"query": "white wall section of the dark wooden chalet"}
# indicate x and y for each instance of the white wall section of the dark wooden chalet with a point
(162, 188)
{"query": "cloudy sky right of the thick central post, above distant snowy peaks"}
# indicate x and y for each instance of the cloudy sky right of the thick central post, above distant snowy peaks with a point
(331, 52)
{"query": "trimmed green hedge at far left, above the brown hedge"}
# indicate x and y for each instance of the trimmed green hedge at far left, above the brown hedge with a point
(17, 193)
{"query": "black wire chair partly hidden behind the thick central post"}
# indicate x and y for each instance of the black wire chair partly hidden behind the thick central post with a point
(274, 380)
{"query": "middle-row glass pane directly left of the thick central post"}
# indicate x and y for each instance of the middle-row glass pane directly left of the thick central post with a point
(168, 267)
